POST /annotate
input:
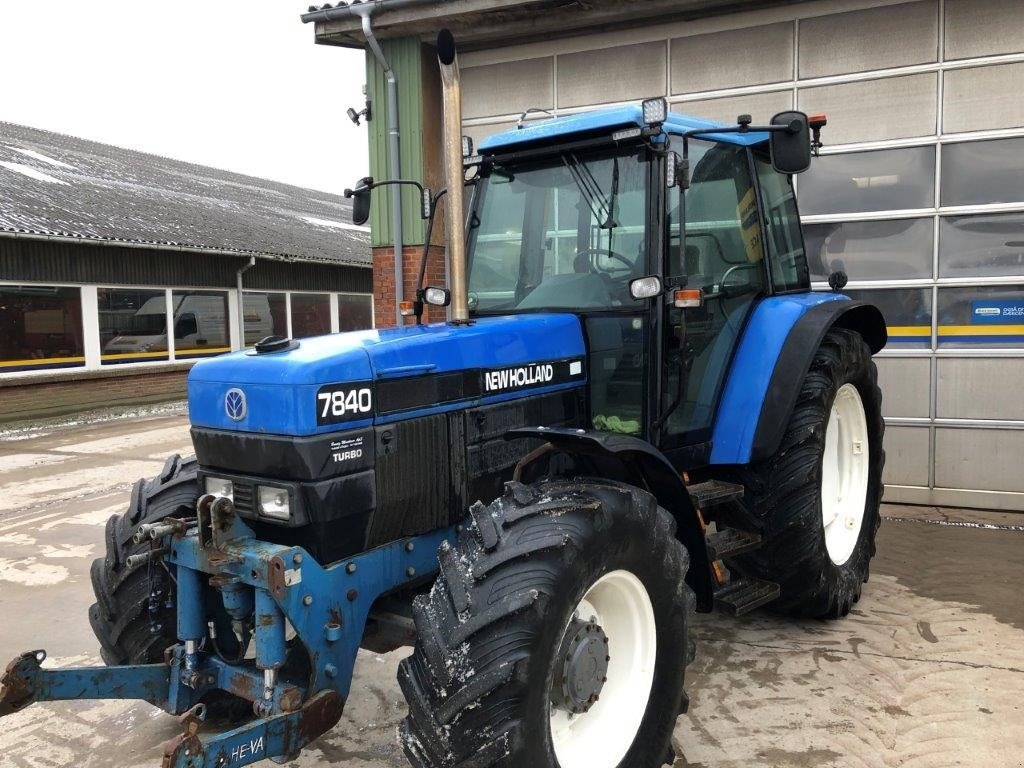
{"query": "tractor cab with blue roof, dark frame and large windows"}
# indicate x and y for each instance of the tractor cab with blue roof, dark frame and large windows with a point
(660, 233)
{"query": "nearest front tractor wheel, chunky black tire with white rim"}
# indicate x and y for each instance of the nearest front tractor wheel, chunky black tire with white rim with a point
(507, 644)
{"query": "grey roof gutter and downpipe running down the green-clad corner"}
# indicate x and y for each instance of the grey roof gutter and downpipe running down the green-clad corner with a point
(365, 12)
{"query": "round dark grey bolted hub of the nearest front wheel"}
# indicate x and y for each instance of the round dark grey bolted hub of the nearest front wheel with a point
(583, 664)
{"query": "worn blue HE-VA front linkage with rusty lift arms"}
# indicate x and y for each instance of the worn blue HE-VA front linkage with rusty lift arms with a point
(268, 584)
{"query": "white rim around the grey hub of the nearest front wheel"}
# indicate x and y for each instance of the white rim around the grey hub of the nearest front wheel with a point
(602, 737)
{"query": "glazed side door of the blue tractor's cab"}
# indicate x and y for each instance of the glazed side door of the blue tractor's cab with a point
(722, 255)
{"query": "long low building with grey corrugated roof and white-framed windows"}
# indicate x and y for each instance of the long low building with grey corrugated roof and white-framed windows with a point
(119, 270)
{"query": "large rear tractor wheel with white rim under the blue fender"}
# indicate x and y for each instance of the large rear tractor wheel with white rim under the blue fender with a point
(820, 471)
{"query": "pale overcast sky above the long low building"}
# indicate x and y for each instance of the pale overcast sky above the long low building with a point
(235, 84)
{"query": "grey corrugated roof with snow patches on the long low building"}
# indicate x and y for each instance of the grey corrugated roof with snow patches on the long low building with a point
(71, 188)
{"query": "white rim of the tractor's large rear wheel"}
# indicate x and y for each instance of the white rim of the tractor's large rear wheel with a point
(844, 475)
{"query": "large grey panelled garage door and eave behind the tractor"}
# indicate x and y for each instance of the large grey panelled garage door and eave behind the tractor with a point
(919, 195)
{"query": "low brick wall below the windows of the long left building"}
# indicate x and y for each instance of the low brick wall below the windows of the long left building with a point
(61, 394)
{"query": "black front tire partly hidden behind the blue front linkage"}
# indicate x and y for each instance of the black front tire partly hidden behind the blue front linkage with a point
(122, 621)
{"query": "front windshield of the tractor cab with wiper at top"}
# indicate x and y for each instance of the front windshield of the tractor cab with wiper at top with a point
(566, 233)
